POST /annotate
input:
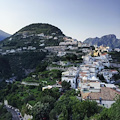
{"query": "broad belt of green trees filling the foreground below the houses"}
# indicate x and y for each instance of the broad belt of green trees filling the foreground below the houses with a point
(49, 105)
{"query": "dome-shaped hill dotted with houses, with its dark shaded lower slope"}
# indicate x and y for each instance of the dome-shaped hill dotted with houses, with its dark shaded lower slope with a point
(22, 52)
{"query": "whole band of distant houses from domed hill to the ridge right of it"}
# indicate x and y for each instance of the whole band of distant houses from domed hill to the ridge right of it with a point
(67, 44)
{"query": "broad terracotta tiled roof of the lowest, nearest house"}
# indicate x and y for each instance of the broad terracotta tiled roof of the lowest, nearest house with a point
(105, 94)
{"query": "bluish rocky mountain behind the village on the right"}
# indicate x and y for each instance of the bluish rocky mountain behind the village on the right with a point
(107, 40)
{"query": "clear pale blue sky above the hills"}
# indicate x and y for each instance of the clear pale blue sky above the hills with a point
(79, 19)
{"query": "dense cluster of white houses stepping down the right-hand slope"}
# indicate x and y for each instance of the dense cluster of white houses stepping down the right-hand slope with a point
(85, 78)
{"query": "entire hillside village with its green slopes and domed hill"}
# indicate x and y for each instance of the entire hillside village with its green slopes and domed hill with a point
(55, 77)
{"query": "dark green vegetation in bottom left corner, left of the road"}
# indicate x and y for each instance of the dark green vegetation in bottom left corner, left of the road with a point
(4, 114)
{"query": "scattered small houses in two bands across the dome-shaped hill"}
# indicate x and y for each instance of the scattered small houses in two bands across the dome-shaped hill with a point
(26, 34)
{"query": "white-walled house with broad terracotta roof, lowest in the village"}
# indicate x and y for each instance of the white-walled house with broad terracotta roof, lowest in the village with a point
(105, 97)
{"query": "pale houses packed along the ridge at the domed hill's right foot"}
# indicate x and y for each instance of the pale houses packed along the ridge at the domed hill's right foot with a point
(68, 46)
